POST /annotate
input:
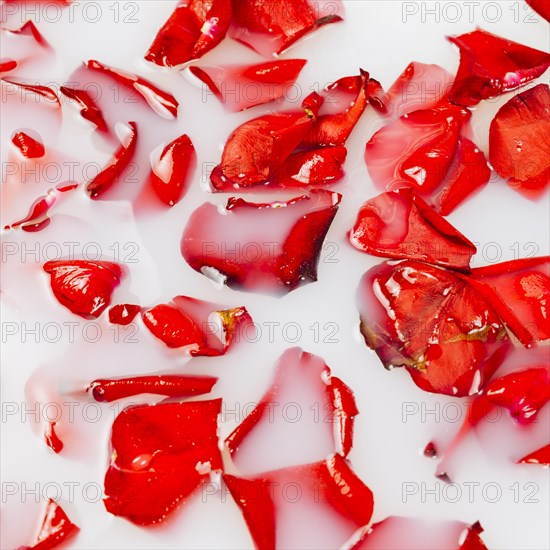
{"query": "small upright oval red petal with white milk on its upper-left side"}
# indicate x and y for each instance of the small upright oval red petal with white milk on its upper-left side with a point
(170, 174)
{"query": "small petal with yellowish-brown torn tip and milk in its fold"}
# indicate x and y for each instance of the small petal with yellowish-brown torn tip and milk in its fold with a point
(235, 324)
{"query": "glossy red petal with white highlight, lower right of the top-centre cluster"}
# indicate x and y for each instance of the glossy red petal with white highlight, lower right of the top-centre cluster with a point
(322, 166)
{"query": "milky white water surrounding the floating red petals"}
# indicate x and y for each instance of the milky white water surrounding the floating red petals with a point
(396, 419)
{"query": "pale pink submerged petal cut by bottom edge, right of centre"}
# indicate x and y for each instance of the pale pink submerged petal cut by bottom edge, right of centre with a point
(403, 533)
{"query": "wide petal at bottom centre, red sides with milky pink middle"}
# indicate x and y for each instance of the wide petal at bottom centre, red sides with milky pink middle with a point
(328, 491)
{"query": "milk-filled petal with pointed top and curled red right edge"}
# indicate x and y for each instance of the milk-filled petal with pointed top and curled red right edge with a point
(304, 381)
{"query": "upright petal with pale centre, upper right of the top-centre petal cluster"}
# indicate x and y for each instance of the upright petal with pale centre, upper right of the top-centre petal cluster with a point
(344, 102)
